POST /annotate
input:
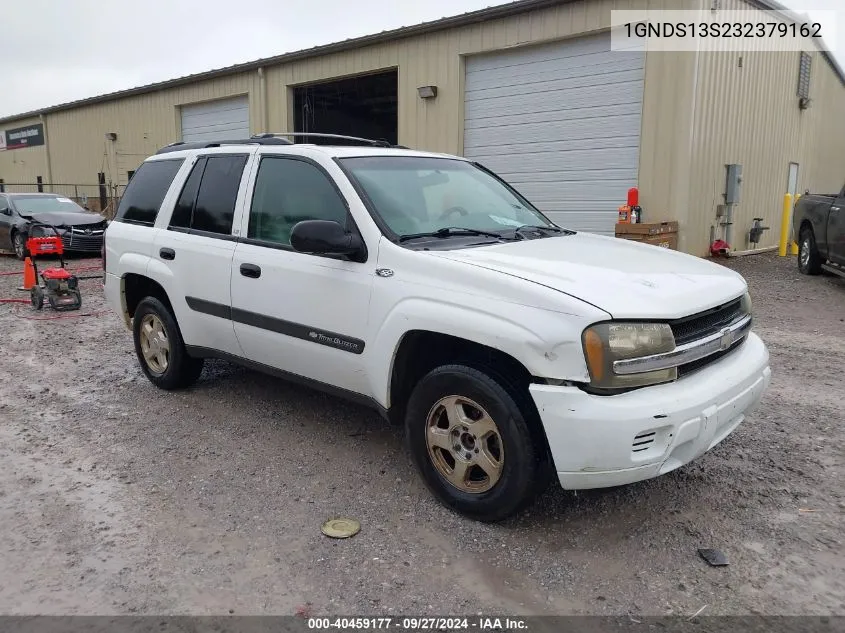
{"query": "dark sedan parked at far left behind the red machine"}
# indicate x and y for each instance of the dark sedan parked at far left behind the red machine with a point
(22, 214)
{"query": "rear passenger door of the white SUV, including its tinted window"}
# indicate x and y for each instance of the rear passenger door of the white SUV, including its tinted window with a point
(197, 246)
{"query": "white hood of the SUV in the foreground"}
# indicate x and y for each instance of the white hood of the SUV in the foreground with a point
(621, 277)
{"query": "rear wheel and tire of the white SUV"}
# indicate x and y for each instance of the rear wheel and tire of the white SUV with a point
(160, 348)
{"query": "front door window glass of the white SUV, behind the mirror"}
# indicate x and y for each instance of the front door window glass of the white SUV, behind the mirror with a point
(288, 191)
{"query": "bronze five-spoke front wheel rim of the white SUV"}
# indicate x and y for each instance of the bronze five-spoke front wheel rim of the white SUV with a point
(464, 444)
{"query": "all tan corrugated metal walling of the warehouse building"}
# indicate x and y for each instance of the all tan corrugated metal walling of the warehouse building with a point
(747, 115)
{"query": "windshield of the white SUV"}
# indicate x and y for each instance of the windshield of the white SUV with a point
(414, 195)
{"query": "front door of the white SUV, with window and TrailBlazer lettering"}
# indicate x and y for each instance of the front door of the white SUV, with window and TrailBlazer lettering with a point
(303, 314)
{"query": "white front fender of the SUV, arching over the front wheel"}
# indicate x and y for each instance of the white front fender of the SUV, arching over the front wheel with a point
(546, 343)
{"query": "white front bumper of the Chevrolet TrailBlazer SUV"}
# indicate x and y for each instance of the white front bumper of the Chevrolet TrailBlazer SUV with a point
(601, 441)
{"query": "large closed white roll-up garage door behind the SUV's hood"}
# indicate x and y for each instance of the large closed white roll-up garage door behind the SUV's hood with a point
(561, 123)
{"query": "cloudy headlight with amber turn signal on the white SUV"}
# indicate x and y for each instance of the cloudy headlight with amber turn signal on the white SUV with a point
(605, 343)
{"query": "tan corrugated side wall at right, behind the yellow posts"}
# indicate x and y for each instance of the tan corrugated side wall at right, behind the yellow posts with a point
(746, 112)
